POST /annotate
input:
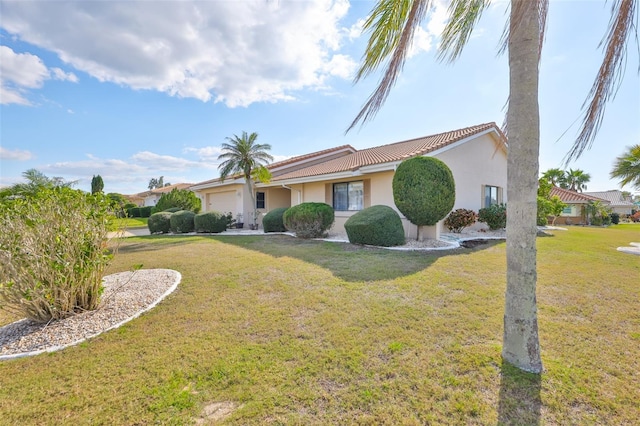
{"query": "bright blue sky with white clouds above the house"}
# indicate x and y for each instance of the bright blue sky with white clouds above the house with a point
(135, 90)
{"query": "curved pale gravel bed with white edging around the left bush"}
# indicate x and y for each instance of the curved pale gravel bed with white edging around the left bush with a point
(126, 296)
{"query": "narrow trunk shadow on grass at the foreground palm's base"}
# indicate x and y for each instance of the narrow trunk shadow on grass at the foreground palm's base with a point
(519, 399)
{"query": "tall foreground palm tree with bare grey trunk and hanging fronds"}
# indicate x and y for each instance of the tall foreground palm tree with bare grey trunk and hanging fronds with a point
(392, 25)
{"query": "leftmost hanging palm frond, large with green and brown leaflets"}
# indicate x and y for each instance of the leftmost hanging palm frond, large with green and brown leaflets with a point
(392, 24)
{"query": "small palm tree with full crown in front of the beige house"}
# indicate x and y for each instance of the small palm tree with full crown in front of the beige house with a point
(242, 155)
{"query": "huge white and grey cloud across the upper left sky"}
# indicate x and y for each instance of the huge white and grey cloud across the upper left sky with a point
(232, 52)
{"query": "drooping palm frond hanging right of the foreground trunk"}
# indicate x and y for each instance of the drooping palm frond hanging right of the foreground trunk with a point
(624, 20)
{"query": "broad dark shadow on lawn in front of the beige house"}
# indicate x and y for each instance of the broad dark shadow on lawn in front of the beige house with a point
(347, 261)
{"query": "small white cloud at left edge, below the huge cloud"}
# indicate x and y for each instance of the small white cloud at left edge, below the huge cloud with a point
(20, 72)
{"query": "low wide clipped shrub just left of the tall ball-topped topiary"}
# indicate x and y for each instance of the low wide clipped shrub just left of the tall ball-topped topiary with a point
(376, 226)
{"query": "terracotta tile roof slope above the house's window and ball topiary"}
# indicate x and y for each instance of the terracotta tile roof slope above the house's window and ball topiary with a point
(389, 153)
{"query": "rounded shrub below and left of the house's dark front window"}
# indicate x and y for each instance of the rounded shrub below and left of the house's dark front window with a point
(309, 220)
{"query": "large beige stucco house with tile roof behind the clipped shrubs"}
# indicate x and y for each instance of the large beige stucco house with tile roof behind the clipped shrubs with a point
(351, 180)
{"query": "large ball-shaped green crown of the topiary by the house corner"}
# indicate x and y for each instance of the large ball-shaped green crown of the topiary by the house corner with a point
(424, 190)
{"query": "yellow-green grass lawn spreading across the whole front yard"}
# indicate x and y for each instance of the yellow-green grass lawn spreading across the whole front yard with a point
(306, 332)
